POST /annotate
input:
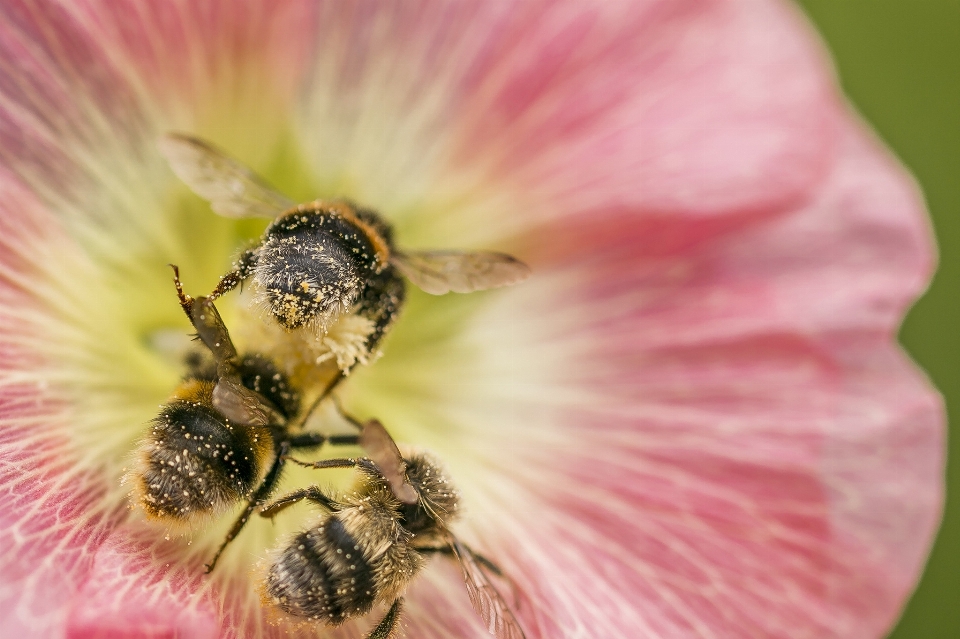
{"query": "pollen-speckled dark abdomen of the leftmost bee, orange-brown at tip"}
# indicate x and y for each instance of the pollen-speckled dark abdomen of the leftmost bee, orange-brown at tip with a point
(196, 462)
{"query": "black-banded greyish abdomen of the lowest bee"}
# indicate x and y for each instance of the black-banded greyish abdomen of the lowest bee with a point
(323, 575)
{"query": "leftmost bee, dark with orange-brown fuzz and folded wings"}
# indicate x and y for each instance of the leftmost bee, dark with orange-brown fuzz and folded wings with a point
(208, 447)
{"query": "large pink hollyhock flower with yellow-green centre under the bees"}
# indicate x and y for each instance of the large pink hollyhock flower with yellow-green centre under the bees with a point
(694, 420)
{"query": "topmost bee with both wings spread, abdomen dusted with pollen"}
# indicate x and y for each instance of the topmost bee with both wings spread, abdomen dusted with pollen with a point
(320, 260)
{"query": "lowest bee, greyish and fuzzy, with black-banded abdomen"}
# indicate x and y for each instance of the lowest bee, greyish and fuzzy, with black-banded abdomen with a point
(373, 541)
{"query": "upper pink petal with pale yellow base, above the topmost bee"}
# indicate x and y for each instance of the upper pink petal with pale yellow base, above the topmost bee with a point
(555, 109)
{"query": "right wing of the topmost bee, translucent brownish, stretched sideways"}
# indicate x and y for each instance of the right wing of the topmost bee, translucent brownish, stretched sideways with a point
(439, 272)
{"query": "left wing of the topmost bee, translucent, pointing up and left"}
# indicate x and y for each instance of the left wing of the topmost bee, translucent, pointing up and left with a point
(232, 189)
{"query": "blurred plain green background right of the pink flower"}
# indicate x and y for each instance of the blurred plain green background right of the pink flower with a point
(899, 62)
